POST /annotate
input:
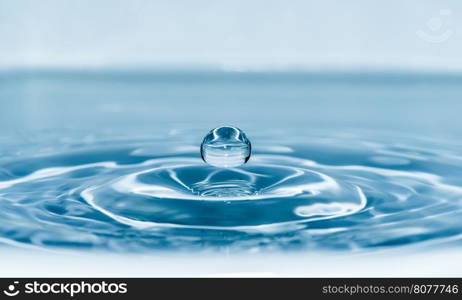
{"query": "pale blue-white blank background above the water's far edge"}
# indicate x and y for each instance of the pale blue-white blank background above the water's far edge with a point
(236, 35)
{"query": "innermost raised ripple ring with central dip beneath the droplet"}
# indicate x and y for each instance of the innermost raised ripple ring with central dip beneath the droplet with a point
(184, 191)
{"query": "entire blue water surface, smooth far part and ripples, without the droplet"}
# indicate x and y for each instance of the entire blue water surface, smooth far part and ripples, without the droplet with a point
(339, 161)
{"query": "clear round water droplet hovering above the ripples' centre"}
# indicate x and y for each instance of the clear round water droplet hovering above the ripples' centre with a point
(226, 147)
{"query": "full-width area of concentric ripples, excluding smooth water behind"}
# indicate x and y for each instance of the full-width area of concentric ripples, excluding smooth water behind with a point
(343, 192)
